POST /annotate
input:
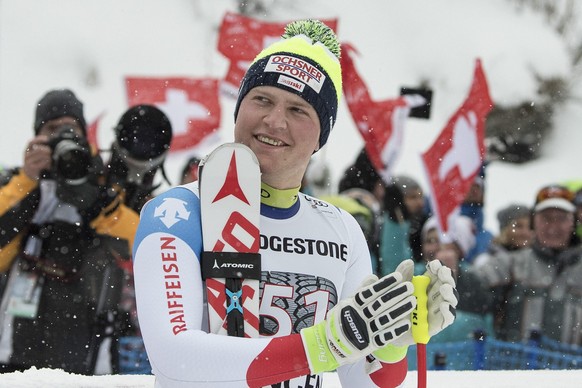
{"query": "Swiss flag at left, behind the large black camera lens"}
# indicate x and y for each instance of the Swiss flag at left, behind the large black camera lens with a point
(192, 105)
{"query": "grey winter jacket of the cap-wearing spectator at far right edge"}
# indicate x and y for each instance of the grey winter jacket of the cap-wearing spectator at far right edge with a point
(536, 289)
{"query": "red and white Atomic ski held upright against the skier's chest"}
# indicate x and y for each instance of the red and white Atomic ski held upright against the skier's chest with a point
(230, 200)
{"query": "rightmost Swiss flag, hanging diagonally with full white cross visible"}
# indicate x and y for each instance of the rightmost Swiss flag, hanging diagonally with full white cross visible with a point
(456, 156)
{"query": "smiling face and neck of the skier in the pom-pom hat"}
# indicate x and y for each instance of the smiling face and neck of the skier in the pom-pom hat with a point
(282, 129)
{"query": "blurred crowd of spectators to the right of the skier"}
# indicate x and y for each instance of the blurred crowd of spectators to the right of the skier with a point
(523, 281)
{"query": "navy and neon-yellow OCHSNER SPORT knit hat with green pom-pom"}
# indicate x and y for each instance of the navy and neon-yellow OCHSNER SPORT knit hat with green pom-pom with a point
(304, 62)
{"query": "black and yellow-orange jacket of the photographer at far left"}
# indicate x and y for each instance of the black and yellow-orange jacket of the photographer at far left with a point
(69, 255)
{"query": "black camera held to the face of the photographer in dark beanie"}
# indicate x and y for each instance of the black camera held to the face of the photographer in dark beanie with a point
(71, 156)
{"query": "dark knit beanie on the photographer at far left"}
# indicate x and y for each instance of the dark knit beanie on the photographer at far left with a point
(56, 104)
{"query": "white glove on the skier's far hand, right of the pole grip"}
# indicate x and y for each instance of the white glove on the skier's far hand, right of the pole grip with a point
(442, 302)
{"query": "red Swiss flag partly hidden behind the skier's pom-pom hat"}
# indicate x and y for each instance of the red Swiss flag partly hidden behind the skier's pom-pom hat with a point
(241, 38)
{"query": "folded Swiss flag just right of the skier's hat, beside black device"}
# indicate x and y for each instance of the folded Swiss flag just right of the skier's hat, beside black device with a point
(381, 123)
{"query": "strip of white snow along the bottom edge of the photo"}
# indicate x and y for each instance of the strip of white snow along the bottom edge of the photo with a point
(48, 378)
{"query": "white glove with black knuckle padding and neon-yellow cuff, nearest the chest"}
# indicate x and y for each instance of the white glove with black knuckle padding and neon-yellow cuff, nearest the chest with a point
(379, 312)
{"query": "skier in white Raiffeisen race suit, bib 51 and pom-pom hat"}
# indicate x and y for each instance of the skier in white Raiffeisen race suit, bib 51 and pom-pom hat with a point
(285, 112)
